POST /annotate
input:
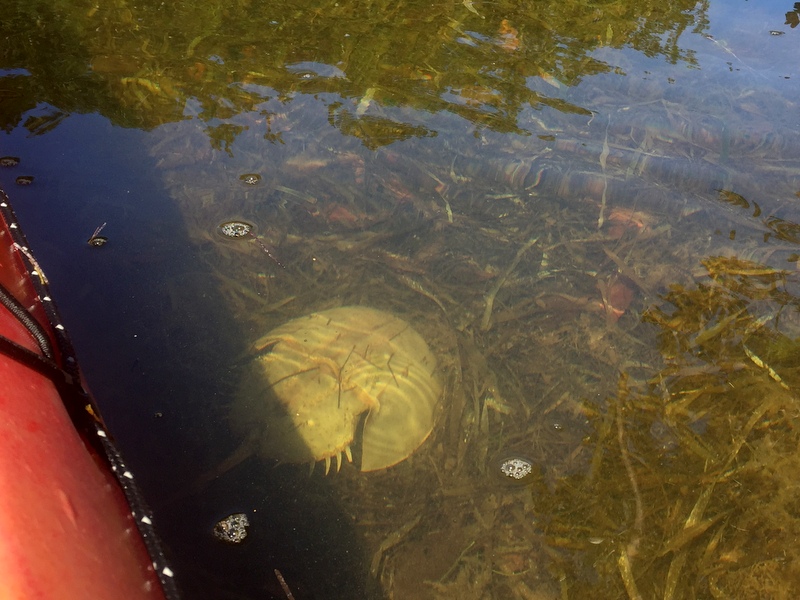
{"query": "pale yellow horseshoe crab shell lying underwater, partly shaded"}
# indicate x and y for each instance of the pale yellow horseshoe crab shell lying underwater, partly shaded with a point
(336, 378)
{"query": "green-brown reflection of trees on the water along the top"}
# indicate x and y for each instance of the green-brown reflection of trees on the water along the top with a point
(140, 64)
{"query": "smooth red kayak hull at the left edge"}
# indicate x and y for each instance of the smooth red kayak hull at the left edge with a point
(66, 530)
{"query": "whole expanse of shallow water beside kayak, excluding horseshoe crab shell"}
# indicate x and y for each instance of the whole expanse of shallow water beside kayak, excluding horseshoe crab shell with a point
(640, 352)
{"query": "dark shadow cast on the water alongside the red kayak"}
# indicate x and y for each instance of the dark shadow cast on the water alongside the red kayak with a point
(156, 344)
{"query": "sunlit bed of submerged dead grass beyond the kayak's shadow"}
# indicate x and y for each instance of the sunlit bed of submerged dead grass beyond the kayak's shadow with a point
(645, 366)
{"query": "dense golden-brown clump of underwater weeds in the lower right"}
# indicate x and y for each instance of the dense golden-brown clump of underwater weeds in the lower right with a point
(690, 478)
